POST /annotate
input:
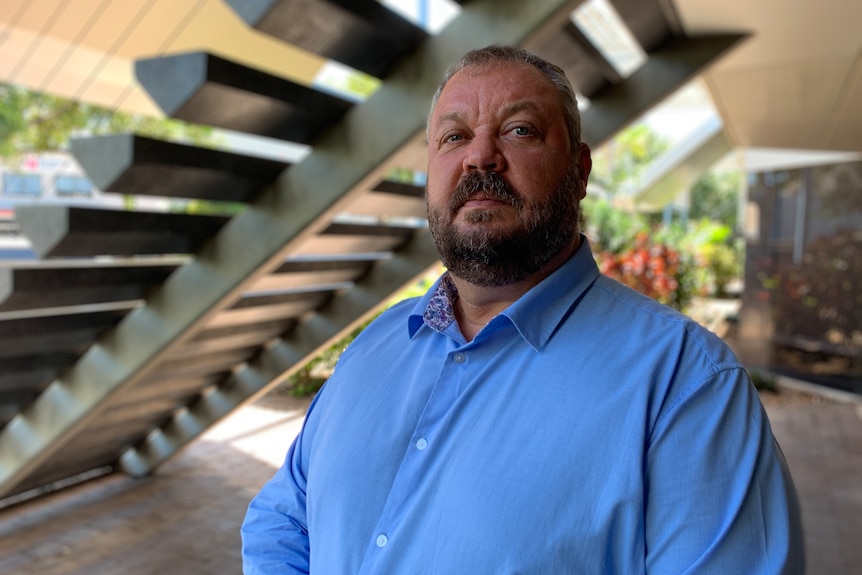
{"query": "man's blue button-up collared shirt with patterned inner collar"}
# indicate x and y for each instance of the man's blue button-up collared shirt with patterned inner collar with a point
(586, 429)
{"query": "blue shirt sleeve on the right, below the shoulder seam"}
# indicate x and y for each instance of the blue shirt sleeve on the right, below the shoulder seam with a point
(719, 498)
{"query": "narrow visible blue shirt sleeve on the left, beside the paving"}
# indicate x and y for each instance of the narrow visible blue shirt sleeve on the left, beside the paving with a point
(275, 529)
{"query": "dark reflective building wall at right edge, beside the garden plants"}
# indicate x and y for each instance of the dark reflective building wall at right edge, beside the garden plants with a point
(802, 305)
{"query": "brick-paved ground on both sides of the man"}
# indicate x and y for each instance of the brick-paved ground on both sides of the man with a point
(185, 520)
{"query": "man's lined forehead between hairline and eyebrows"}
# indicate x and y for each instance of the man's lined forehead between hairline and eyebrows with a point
(495, 88)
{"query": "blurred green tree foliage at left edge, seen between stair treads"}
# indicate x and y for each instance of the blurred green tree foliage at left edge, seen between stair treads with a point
(32, 122)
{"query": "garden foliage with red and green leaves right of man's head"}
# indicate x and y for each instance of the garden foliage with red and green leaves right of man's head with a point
(669, 261)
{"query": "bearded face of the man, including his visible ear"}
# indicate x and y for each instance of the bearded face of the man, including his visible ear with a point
(503, 184)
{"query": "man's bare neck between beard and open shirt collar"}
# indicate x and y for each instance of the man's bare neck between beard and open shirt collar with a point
(477, 305)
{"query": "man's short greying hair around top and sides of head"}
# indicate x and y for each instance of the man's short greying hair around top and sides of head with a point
(508, 54)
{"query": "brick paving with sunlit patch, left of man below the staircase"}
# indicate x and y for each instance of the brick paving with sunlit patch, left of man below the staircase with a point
(183, 520)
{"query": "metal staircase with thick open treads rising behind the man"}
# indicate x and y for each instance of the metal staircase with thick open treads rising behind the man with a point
(136, 331)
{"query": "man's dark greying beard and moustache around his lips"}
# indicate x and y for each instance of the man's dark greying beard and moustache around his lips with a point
(489, 257)
